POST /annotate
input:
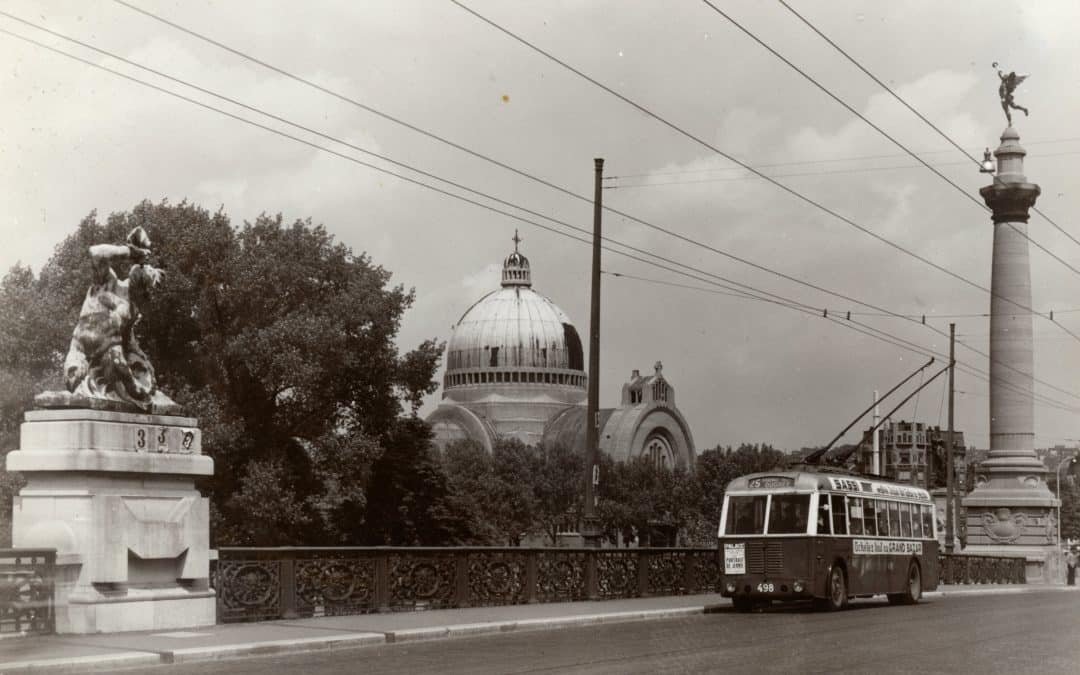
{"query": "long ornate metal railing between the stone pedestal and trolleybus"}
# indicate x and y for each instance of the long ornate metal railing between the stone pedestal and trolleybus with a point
(260, 585)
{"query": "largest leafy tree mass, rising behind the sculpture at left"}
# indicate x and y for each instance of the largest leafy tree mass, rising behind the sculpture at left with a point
(278, 339)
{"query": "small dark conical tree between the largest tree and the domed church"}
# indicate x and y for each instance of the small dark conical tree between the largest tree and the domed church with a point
(410, 499)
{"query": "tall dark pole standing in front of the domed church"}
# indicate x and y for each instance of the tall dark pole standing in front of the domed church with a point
(591, 534)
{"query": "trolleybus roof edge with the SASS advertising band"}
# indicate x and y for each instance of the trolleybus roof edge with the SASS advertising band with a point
(809, 481)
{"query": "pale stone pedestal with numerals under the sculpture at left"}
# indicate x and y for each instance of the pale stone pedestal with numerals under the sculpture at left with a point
(114, 493)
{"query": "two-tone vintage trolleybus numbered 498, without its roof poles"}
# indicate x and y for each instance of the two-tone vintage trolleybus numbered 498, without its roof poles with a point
(826, 537)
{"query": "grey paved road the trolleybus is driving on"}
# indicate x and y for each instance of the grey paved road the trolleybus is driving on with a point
(1022, 633)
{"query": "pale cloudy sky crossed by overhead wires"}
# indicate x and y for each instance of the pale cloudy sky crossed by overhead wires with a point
(74, 139)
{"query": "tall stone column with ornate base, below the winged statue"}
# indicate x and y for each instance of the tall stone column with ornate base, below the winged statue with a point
(1012, 511)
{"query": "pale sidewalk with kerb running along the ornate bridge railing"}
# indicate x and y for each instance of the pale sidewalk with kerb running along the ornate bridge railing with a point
(79, 654)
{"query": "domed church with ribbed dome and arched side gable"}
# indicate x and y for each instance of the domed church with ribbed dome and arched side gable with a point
(516, 369)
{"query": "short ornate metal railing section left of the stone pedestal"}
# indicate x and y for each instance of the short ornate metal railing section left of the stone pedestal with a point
(26, 591)
